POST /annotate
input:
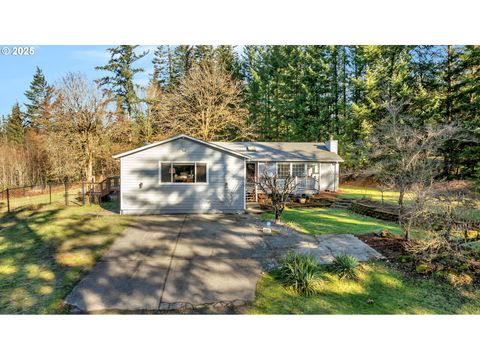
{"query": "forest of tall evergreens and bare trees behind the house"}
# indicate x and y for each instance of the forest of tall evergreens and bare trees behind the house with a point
(70, 128)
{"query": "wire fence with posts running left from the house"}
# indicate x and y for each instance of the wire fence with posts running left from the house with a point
(68, 194)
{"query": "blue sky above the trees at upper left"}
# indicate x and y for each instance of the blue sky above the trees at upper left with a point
(16, 72)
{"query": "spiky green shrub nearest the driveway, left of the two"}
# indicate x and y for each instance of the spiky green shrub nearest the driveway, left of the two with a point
(300, 273)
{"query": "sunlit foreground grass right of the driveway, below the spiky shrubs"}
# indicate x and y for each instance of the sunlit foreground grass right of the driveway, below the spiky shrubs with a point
(380, 289)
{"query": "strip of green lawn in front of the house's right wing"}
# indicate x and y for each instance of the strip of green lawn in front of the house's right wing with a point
(317, 221)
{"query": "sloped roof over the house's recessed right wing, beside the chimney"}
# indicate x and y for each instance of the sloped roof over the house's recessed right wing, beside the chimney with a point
(283, 151)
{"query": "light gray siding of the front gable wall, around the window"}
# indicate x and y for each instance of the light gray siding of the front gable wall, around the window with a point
(224, 192)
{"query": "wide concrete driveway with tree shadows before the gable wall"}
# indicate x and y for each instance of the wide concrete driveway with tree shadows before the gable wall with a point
(168, 262)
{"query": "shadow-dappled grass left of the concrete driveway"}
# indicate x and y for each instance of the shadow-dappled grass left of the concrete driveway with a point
(45, 252)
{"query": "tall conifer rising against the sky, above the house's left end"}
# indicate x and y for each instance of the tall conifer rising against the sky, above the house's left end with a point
(121, 82)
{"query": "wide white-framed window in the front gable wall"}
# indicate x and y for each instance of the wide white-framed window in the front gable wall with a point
(186, 173)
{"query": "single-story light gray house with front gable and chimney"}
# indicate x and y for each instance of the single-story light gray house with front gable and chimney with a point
(187, 175)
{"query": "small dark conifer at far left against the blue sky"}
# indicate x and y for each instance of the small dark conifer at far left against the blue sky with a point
(40, 97)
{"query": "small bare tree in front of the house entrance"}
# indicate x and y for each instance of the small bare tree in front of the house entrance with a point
(278, 190)
